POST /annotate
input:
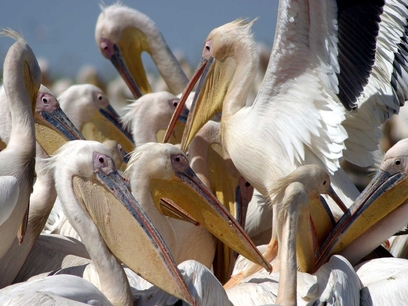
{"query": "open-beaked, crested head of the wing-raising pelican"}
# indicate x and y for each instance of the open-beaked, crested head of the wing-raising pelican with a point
(219, 63)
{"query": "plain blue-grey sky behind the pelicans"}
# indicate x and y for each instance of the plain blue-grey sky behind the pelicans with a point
(63, 31)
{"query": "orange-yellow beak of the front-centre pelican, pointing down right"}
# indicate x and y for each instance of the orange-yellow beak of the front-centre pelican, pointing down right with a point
(187, 190)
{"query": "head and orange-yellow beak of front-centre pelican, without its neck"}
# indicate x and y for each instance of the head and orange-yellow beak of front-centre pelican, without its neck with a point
(170, 176)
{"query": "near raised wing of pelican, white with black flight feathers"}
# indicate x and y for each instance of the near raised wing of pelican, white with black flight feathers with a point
(315, 58)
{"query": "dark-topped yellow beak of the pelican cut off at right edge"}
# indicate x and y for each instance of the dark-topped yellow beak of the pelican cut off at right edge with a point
(385, 193)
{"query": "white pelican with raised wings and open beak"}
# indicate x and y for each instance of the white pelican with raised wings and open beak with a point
(298, 117)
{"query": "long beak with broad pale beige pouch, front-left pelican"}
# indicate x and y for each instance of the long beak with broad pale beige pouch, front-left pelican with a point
(126, 229)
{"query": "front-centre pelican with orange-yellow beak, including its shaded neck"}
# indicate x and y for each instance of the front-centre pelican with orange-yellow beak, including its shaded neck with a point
(159, 171)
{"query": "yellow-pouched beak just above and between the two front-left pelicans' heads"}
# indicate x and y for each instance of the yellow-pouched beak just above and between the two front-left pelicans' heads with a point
(105, 125)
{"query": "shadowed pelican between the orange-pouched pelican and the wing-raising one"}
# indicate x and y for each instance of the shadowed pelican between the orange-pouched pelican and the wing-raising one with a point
(224, 181)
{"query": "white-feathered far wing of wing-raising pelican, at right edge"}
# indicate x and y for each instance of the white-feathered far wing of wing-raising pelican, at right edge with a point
(387, 88)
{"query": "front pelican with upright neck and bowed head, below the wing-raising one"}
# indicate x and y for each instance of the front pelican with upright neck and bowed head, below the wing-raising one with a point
(294, 195)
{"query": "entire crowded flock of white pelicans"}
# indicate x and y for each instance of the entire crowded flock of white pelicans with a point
(226, 186)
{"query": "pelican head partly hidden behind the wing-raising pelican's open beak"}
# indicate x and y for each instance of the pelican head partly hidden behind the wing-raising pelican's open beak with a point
(149, 116)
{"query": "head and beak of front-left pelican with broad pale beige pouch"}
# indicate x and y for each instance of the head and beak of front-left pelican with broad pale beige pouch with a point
(101, 192)
